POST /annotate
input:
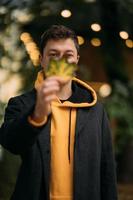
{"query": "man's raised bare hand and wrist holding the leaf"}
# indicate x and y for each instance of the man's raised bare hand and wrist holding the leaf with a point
(46, 93)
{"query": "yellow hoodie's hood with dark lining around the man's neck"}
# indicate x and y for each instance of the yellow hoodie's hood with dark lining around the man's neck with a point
(83, 95)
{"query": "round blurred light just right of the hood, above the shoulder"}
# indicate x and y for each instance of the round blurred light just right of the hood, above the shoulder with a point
(105, 90)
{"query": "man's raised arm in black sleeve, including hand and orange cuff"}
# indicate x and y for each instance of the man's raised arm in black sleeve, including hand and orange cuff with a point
(23, 122)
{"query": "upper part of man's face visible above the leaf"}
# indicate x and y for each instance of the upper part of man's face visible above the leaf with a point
(57, 49)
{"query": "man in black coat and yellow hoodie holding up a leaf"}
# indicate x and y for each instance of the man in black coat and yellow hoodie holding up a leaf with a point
(60, 132)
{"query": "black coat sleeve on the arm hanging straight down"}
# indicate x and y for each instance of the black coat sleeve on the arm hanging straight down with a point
(108, 168)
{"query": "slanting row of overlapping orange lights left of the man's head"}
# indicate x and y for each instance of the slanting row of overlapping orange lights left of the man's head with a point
(31, 48)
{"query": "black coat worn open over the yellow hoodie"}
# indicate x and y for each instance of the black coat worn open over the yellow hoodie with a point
(94, 168)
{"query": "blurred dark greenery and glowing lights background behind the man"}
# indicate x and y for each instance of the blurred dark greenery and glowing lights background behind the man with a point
(105, 33)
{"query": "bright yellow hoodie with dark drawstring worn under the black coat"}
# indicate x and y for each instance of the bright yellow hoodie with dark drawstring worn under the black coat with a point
(63, 121)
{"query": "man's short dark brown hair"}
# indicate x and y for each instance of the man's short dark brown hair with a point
(57, 32)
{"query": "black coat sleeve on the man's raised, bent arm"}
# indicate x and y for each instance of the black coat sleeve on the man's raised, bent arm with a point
(16, 133)
